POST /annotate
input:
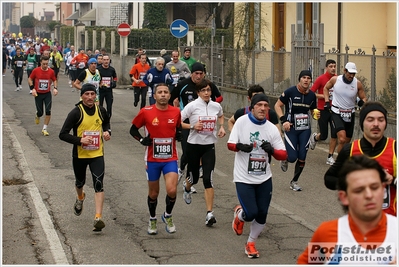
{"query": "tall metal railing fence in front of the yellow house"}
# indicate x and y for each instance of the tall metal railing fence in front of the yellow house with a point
(277, 70)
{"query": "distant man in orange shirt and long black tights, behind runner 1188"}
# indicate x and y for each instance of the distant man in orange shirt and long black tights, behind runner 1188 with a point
(137, 74)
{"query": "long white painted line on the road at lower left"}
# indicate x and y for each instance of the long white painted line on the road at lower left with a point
(55, 246)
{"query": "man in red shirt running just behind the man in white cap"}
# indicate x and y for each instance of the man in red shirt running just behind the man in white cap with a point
(325, 115)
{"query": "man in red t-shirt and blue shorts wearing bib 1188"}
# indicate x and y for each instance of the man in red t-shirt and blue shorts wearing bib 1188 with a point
(162, 125)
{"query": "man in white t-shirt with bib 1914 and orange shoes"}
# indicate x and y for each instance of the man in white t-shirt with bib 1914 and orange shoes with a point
(255, 139)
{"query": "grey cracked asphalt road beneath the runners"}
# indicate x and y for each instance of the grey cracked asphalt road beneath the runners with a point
(39, 226)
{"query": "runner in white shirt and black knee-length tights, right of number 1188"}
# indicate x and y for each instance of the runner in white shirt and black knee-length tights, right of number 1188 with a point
(204, 115)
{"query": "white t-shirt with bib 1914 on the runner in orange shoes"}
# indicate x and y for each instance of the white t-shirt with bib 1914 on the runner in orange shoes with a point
(253, 167)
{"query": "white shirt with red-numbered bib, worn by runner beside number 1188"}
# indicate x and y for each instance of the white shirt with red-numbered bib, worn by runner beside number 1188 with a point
(208, 113)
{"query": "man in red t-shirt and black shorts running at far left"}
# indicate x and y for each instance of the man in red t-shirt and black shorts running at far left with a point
(40, 83)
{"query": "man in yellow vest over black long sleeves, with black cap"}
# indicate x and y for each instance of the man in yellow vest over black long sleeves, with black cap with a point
(90, 124)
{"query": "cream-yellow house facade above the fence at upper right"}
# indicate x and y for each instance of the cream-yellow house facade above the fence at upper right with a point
(359, 25)
